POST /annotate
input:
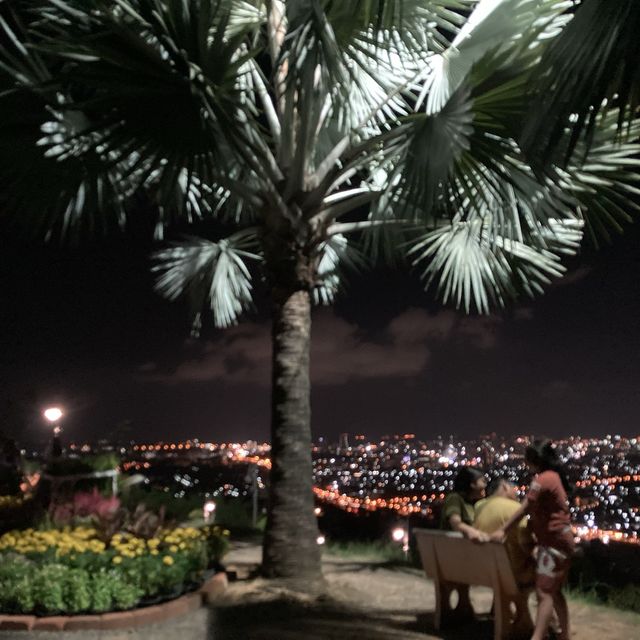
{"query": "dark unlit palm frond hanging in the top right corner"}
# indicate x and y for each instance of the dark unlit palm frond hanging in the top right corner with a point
(593, 65)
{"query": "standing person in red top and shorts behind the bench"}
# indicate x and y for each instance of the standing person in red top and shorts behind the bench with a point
(548, 507)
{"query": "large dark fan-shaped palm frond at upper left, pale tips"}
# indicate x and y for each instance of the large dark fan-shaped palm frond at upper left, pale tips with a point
(151, 93)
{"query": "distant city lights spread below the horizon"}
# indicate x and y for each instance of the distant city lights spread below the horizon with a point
(404, 475)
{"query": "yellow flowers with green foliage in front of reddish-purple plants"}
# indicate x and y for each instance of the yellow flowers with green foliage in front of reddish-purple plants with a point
(72, 570)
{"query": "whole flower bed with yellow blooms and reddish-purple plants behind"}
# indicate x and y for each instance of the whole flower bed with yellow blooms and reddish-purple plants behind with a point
(86, 553)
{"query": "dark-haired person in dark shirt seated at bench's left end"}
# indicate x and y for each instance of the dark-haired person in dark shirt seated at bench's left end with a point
(458, 511)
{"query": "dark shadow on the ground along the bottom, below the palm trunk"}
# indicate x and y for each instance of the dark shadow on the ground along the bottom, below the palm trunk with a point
(283, 618)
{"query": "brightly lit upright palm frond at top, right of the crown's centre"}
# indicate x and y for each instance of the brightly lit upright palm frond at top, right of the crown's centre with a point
(348, 66)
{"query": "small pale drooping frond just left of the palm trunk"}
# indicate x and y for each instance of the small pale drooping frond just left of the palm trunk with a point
(209, 271)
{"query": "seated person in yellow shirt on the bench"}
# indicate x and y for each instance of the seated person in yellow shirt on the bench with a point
(492, 513)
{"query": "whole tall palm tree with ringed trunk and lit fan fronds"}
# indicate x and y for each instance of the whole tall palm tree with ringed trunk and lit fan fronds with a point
(315, 132)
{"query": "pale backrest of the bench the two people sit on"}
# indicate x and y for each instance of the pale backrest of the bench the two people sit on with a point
(448, 556)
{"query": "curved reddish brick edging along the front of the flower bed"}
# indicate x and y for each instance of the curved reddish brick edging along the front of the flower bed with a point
(182, 605)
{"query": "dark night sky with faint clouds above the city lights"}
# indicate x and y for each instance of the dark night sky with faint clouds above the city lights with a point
(82, 327)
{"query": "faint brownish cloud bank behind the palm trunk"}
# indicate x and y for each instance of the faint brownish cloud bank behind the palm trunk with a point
(340, 350)
